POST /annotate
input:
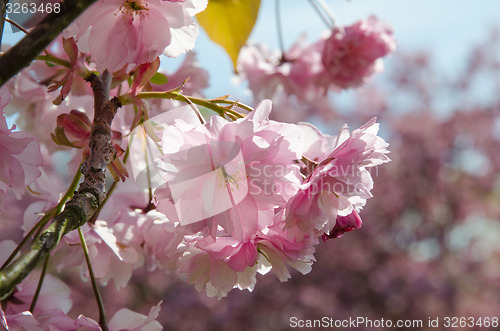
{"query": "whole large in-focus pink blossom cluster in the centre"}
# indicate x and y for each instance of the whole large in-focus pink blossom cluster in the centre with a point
(253, 195)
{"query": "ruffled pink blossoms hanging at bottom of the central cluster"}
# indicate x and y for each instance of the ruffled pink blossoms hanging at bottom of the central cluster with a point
(225, 263)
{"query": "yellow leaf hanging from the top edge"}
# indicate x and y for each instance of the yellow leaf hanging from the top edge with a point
(229, 23)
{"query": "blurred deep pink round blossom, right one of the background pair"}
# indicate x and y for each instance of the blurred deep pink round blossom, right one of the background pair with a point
(353, 54)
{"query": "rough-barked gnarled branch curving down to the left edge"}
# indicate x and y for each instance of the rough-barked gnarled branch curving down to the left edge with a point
(86, 200)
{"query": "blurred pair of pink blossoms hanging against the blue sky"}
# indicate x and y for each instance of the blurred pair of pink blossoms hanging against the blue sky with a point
(347, 58)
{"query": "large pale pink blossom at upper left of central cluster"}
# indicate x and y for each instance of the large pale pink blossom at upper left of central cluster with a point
(235, 173)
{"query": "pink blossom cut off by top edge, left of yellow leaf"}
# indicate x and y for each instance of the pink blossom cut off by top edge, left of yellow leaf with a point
(123, 33)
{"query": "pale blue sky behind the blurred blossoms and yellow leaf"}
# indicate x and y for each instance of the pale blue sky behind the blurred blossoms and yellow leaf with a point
(446, 28)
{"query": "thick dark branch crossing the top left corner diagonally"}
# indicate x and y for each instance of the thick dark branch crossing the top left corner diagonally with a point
(25, 51)
